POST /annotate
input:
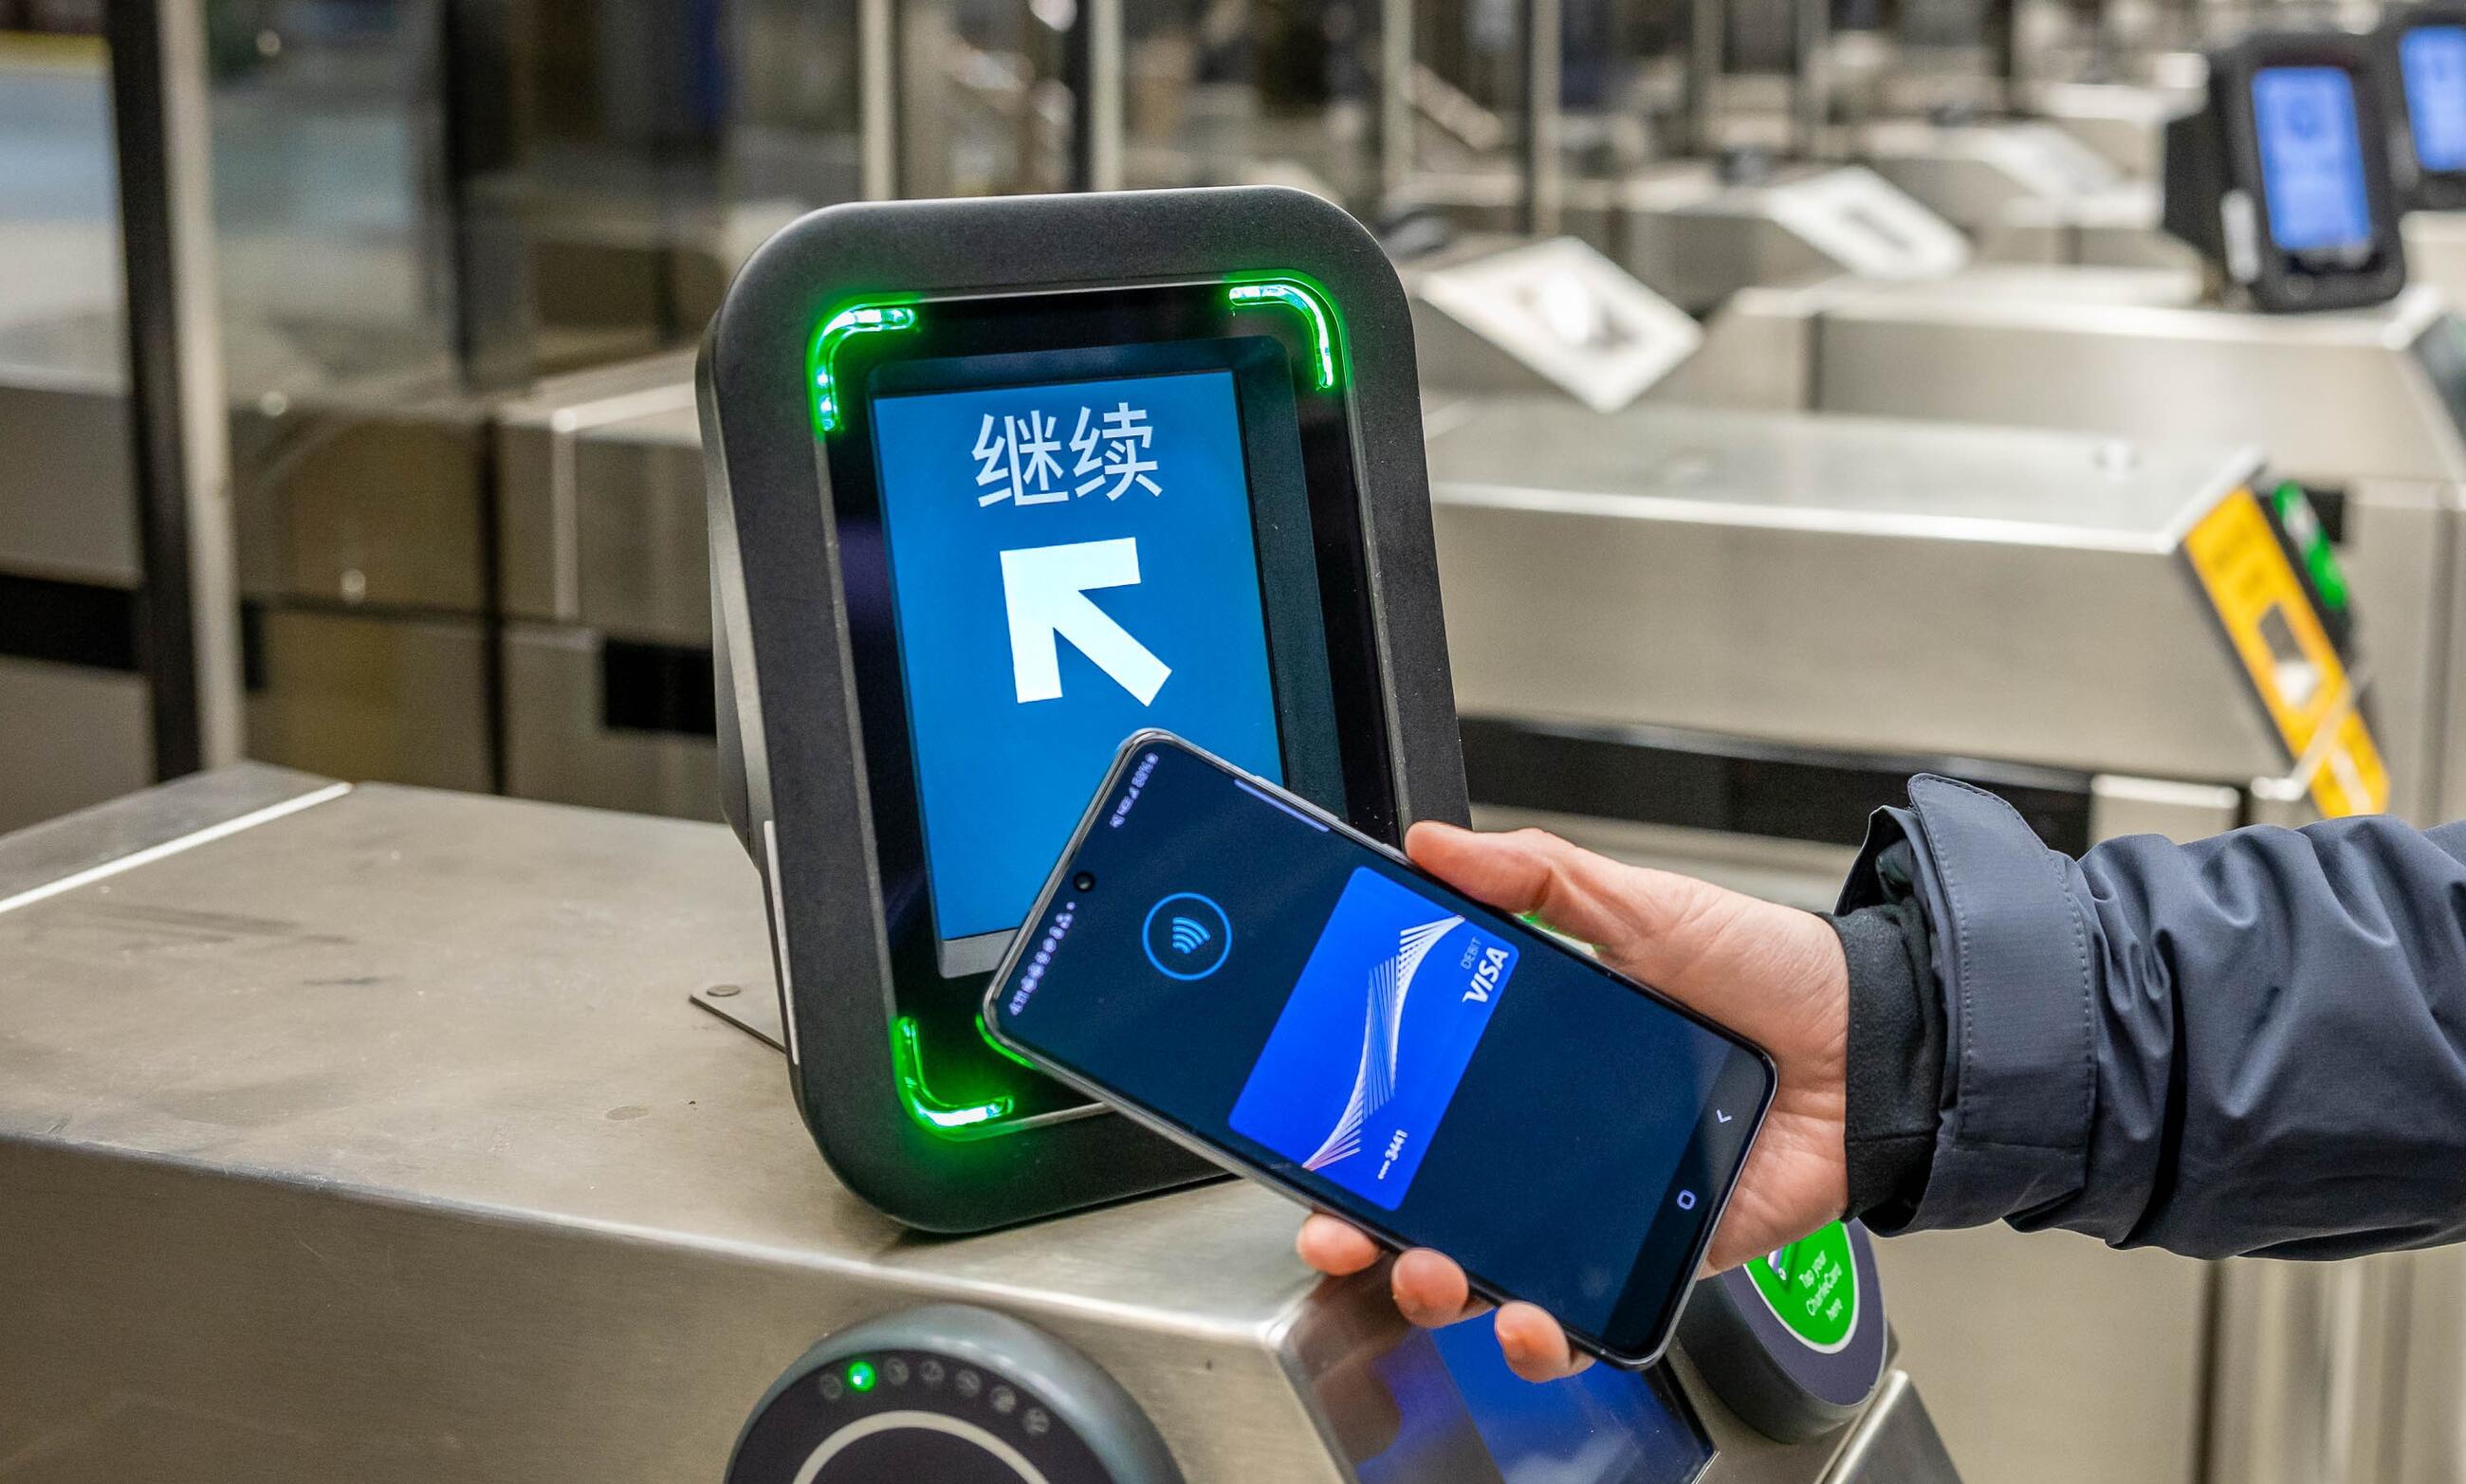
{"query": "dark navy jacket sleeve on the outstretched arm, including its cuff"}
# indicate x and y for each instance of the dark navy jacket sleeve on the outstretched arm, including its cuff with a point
(2245, 1046)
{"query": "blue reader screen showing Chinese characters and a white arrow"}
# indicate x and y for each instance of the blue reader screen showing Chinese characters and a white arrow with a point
(1069, 563)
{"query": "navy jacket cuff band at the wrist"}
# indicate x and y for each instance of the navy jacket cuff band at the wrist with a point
(2011, 960)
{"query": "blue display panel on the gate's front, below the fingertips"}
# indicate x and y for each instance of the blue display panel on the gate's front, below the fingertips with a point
(1446, 1406)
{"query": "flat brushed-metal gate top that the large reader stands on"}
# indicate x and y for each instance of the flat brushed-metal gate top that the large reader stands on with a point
(480, 1005)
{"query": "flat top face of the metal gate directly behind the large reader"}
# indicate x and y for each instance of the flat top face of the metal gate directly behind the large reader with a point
(1833, 472)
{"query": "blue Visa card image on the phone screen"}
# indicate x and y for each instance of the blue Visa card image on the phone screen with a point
(1375, 1039)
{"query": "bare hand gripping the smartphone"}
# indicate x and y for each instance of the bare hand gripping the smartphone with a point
(1769, 972)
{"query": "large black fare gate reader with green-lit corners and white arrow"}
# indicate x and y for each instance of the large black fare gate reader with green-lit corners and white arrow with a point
(993, 487)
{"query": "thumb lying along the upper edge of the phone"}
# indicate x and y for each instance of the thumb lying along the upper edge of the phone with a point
(1646, 923)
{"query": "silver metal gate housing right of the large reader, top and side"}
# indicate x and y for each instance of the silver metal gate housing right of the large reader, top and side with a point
(1695, 571)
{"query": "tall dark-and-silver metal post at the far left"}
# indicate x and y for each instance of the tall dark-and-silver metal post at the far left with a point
(176, 403)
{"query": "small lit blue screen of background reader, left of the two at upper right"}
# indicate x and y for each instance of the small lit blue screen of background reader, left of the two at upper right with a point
(2312, 159)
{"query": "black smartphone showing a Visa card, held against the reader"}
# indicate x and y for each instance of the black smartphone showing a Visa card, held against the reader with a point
(1296, 1002)
